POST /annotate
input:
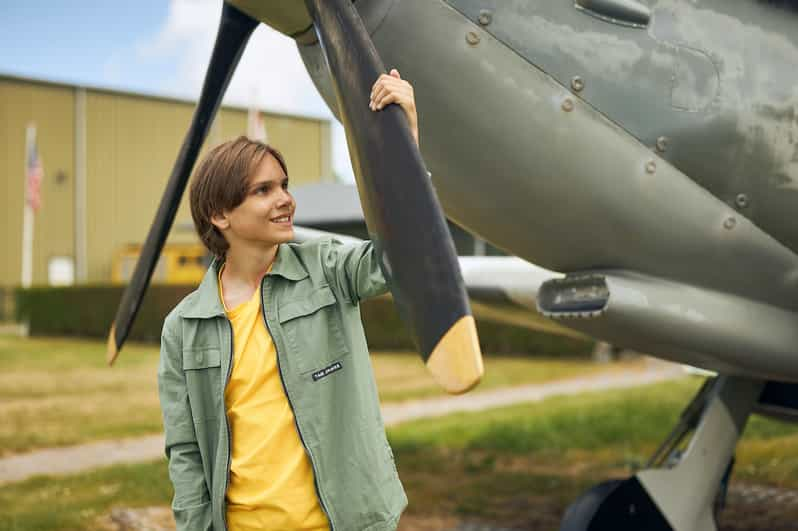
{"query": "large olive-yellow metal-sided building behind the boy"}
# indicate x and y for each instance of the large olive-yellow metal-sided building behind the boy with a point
(107, 156)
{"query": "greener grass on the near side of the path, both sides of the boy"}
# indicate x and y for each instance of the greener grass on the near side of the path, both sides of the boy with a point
(518, 466)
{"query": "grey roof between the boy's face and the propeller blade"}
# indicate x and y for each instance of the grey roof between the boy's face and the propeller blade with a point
(324, 203)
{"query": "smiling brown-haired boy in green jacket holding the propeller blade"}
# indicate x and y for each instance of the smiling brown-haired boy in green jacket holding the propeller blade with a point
(270, 409)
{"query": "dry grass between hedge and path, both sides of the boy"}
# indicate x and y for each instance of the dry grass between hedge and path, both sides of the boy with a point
(56, 392)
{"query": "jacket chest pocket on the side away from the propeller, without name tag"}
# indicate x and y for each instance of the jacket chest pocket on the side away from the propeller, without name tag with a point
(202, 368)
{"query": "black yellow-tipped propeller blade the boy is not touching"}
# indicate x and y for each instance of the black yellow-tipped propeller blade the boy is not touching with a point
(235, 29)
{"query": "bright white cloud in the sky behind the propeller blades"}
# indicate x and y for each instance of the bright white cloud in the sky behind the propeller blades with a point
(270, 75)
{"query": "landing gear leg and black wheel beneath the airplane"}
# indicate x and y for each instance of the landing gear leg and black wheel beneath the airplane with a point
(678, 490)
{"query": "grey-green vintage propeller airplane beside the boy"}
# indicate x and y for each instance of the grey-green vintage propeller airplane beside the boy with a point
(641, 155)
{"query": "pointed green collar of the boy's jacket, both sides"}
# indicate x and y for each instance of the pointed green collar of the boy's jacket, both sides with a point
(207, 304)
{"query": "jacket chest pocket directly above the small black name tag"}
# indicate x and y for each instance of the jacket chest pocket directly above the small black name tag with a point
(313, 330)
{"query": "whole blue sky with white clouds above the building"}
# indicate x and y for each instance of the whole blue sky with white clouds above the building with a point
(158, 47)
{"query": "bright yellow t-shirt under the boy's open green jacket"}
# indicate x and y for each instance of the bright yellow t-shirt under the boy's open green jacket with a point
(271, 479)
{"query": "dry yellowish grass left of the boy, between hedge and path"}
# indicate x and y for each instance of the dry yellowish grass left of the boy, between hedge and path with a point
(56, 392)
